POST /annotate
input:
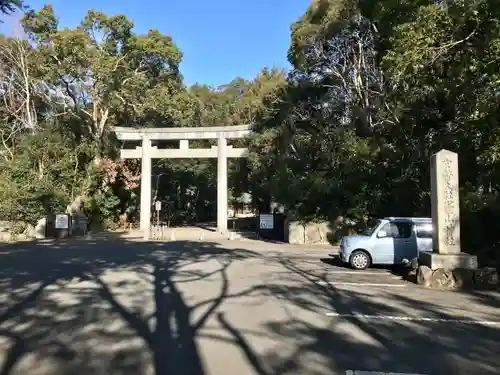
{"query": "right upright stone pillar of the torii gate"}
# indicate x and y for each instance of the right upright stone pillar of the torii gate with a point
(222, 185)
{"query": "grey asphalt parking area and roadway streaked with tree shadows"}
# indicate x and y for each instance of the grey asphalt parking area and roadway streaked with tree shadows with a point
(113, 306)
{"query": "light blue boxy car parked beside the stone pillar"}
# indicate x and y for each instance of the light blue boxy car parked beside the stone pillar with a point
(388, 241)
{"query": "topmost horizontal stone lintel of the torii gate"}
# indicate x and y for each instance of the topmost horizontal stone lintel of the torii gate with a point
(214, 132)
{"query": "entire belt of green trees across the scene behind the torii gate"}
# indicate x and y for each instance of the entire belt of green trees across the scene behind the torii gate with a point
(375, 88)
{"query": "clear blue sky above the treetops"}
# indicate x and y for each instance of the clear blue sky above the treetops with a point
(220, 39)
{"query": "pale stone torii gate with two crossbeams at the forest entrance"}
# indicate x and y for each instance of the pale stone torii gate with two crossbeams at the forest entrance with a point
(146, 152)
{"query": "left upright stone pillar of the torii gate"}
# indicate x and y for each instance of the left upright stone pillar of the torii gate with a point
(146, 187)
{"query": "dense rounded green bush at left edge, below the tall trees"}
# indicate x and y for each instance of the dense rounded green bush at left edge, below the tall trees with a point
(41, 177)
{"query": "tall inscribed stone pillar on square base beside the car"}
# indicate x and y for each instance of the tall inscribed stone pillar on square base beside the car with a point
(445, 204)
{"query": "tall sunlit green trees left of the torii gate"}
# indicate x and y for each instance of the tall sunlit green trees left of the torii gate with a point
(82, 81)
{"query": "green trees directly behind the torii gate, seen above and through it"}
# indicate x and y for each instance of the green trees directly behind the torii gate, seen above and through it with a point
(187, 188)
